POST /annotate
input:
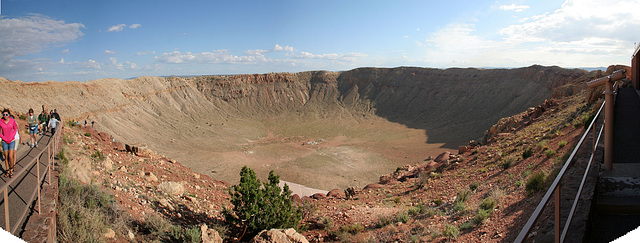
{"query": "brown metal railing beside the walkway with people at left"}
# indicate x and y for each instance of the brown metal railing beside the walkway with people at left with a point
(51, 146)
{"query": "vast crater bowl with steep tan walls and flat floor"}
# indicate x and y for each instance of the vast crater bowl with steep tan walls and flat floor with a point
(322, 129)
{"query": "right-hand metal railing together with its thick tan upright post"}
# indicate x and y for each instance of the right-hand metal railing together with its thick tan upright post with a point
(555, 186)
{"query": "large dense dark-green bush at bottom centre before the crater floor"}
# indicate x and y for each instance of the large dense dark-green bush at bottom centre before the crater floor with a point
(257, 208)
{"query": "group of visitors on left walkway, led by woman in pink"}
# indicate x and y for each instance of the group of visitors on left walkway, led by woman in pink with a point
(11, 137)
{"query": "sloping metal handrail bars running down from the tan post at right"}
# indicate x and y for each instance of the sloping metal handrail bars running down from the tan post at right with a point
(555, 187)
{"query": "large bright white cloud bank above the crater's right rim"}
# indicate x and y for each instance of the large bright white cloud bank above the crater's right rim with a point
(576, 35)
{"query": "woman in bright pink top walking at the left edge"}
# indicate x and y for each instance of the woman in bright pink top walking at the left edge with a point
(9, 129)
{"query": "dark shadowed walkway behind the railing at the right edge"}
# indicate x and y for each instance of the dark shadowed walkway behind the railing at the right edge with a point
(617, 210)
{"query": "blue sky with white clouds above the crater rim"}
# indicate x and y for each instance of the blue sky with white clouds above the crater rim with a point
(85, 40)
